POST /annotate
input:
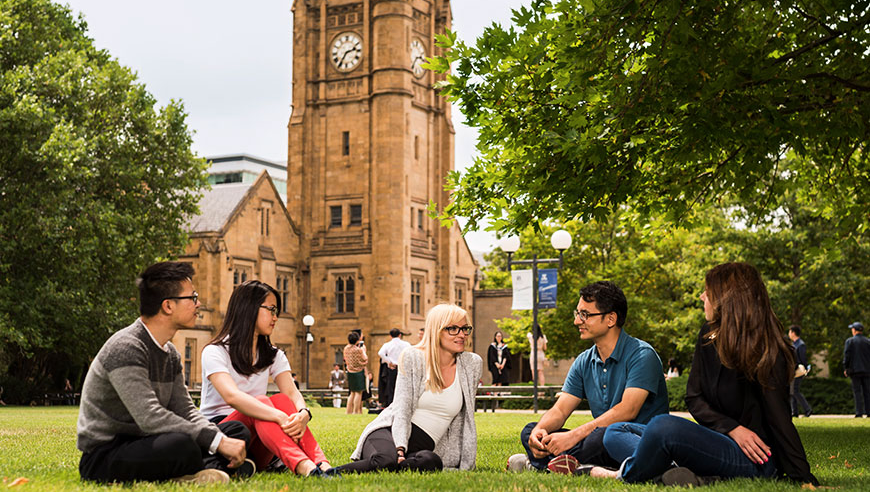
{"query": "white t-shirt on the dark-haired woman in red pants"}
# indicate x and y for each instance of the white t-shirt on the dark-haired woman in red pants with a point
(216, 358)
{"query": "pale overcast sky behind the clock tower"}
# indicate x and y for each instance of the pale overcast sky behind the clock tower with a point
(229, 62)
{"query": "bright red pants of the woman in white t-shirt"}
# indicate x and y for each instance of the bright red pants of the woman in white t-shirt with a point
(269, 440)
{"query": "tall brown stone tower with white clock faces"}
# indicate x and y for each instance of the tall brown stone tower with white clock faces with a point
(370, 143)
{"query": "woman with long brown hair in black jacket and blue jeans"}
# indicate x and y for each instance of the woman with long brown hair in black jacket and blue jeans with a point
(738, 392)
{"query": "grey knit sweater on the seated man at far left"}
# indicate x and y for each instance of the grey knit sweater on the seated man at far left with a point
(135, 388)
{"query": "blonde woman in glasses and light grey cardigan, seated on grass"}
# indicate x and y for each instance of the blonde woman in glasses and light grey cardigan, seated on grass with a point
(430, 424)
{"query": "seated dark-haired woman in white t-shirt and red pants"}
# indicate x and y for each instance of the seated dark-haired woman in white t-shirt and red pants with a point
(236, 367)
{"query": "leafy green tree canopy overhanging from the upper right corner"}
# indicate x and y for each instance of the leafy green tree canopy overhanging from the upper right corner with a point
(589, 105)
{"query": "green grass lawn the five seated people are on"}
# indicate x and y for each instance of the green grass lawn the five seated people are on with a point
(39, 444)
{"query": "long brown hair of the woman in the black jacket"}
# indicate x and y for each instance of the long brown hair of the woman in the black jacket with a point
(747, 334)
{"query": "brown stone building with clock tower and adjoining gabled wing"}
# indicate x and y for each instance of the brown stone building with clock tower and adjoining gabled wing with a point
(369, 145)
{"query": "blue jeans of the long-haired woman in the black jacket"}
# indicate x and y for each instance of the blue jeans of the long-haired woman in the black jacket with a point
(667, 440)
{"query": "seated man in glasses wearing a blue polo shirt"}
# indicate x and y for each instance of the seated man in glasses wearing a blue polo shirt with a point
(620, 376)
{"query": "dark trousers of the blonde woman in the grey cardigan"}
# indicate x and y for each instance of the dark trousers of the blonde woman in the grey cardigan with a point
(379, 453)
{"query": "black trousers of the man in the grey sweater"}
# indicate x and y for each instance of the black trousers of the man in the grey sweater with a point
(154, 458)
